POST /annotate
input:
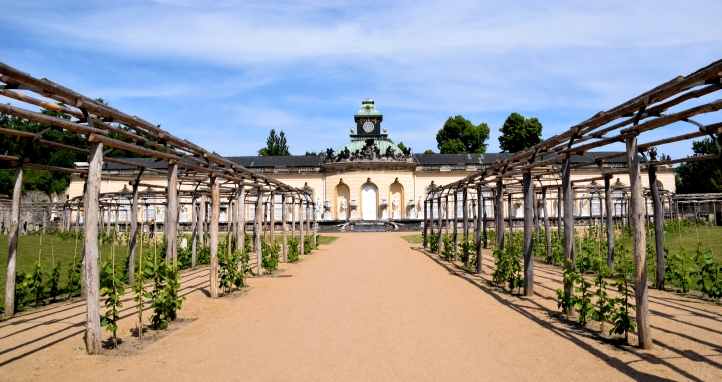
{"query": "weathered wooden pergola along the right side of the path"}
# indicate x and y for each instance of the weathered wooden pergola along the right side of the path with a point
(548, 165)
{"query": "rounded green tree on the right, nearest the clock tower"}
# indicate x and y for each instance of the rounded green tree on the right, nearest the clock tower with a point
(459, 135)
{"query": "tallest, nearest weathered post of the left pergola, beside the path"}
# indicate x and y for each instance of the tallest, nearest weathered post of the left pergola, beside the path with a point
(92, 272)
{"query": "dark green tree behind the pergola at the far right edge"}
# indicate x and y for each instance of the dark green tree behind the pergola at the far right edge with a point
(701, 176)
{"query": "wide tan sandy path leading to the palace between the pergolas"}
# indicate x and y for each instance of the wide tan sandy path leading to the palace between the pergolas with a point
(364, 308)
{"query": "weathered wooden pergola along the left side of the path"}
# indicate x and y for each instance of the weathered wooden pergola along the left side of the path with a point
(194, 175)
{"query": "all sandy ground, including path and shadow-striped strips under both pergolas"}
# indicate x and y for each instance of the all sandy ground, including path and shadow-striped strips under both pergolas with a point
(367, 307)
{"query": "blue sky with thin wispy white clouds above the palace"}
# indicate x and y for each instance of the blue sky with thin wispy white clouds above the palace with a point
(223, 73)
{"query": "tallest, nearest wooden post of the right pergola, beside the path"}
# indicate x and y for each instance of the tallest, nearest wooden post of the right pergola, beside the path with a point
(639, 244)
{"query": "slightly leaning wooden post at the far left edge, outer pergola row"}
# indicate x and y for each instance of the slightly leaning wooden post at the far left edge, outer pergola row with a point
(13, 236)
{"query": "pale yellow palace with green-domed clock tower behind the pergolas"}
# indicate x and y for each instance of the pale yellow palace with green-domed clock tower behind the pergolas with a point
(371, 178)
